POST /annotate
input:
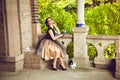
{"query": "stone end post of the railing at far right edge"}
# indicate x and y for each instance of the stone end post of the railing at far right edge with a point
(117, 45)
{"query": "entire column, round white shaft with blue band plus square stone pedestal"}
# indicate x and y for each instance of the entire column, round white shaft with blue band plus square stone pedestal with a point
(80, 33)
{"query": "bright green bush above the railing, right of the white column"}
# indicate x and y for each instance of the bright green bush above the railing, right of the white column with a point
(103, 19)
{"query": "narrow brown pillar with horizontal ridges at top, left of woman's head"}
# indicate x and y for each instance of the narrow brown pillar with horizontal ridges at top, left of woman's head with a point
(36, 30)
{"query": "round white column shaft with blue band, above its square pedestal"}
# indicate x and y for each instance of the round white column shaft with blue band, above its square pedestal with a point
(80, 14)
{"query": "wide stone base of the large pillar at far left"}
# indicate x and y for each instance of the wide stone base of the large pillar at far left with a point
(11, 64)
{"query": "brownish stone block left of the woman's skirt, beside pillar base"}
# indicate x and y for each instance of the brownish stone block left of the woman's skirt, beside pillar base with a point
(34, 61)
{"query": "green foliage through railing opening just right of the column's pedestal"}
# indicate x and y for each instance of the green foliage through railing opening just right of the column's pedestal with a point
(92, 53)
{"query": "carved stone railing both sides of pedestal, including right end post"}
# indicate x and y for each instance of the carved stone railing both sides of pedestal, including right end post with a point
(100, 61)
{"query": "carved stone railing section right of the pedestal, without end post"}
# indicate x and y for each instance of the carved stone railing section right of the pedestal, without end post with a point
(104, 41)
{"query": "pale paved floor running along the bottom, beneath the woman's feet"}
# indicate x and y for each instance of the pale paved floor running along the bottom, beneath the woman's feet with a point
(46, 74)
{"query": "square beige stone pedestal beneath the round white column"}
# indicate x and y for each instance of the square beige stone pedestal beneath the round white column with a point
(80, 46)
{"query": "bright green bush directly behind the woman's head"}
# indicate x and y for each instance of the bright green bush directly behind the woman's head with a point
(64, 20)
